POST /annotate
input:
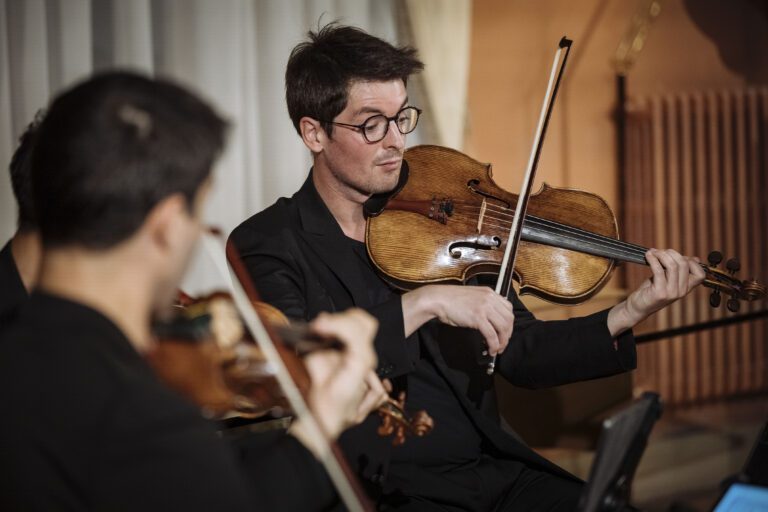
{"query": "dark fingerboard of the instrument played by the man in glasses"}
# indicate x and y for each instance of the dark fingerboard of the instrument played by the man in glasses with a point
(546, 232)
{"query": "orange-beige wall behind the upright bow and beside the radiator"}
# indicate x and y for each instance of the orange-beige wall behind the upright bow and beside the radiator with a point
(694, 45)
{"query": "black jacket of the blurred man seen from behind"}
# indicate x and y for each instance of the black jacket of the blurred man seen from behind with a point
(88, 426)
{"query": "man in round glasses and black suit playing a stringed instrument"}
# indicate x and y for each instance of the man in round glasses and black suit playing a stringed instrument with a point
(347, 98)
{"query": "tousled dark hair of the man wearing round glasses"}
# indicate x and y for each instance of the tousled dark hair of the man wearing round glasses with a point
(320, 70)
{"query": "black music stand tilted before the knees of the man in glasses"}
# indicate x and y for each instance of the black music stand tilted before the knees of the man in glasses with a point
(621, 444)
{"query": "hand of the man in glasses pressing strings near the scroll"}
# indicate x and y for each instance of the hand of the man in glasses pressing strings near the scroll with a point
(674, 276)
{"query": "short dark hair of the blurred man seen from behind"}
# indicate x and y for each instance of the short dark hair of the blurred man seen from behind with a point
(111, 148)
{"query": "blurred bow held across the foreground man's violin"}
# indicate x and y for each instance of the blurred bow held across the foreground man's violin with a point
(243, 292)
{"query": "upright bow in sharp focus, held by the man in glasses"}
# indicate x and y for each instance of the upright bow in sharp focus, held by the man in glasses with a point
(504, 283)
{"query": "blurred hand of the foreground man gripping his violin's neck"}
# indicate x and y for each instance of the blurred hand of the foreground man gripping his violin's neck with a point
(343, 382)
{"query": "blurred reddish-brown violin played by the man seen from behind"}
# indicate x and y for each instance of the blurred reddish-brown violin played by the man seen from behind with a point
(206, 355)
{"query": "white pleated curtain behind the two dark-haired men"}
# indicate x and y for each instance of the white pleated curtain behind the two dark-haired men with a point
(232, 52)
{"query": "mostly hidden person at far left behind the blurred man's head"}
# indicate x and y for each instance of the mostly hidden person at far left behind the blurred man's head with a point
(20, 257)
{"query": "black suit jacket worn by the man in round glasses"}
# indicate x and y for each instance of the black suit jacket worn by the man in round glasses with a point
(301, 262)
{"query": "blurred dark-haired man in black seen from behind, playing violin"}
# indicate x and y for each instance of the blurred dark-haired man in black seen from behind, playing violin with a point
(120, 172)
